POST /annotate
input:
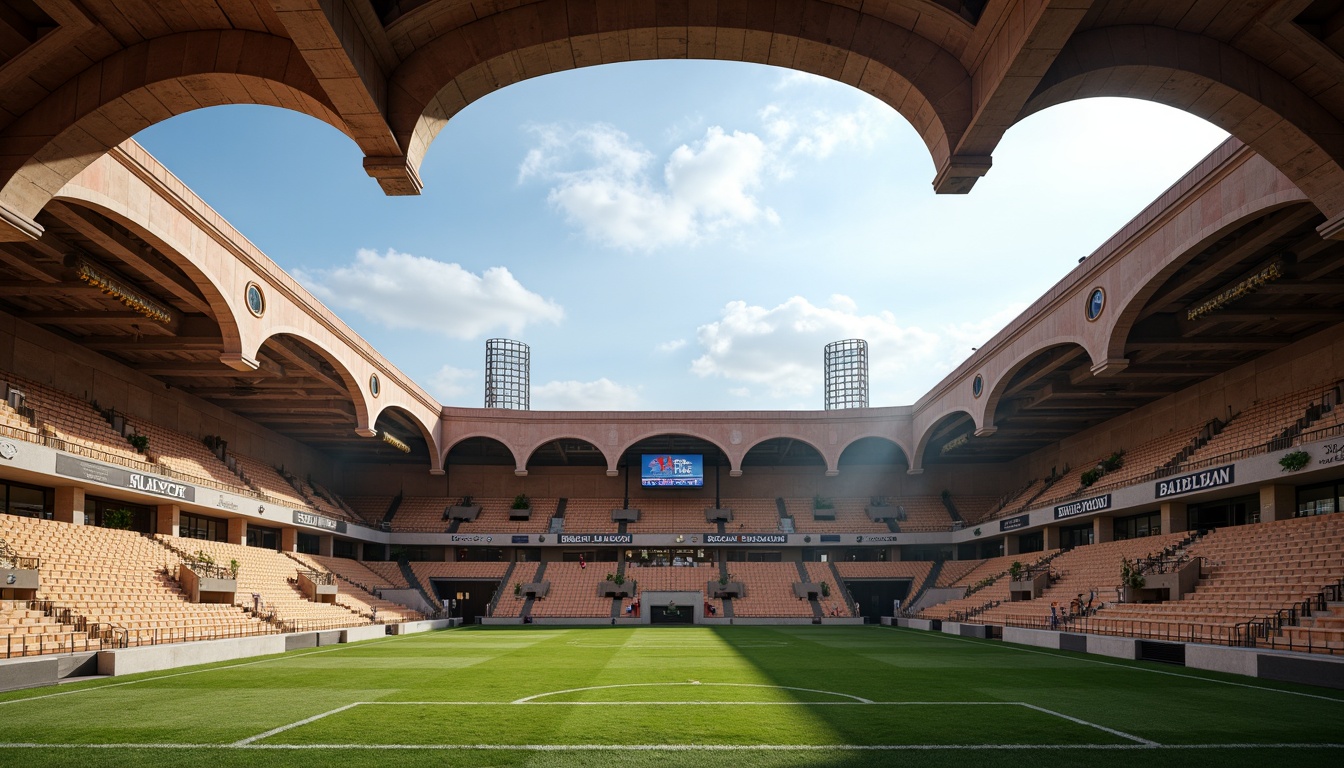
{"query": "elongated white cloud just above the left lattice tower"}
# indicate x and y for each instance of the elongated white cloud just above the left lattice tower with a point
(404, 291)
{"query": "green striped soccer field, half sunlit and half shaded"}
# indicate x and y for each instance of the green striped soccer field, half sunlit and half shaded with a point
(743, 696)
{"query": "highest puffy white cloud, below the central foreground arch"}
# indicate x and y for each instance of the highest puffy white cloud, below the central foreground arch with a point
(604, 184)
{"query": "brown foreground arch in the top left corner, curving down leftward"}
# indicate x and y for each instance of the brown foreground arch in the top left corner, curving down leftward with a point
(139, 87)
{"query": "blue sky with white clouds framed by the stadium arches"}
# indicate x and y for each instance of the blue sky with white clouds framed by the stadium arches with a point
(681, 236)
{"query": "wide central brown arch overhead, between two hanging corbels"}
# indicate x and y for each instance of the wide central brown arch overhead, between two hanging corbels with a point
(913, 75)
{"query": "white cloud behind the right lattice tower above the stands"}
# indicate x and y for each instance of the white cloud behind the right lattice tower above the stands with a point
(780, 349)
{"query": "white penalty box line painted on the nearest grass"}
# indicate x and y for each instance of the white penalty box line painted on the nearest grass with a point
(253, 740)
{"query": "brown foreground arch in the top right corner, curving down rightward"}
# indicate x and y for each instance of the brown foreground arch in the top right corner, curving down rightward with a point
(1218, 83)
